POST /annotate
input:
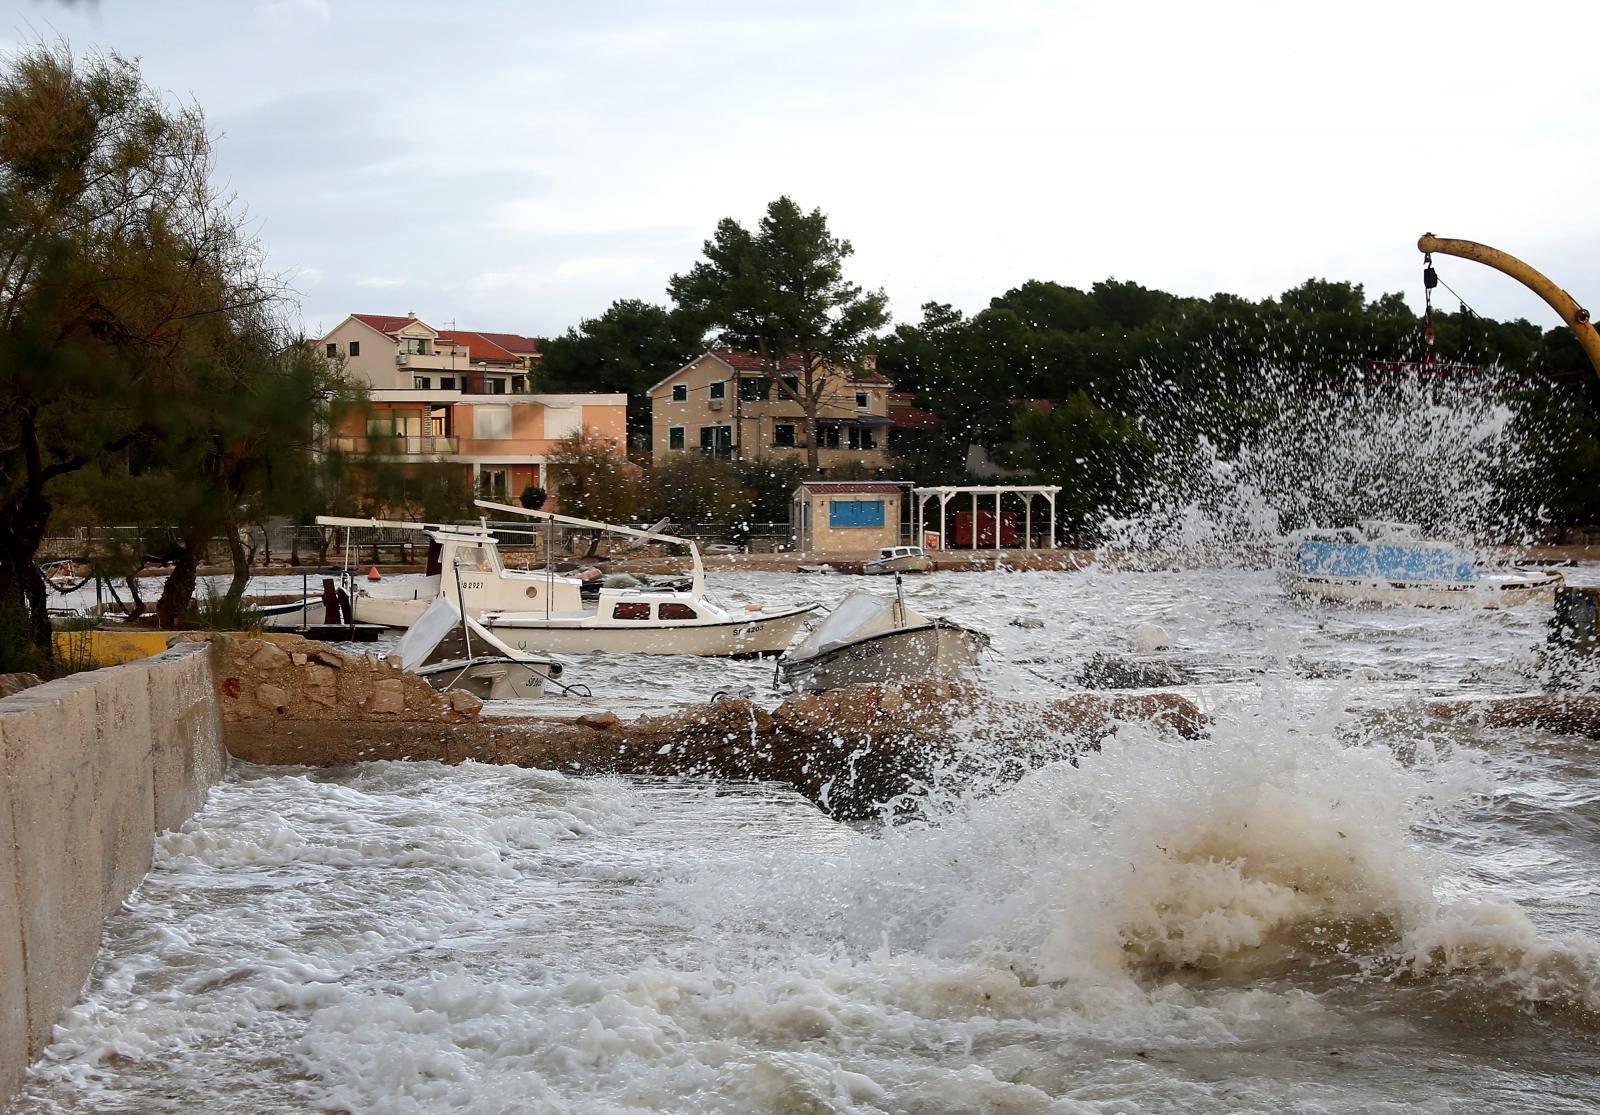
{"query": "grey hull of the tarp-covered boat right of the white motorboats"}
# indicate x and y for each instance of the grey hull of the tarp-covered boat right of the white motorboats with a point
(890, 658)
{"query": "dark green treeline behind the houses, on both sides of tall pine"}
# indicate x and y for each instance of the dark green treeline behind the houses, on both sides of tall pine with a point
(1135, 377)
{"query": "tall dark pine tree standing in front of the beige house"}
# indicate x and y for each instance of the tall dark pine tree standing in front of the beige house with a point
(782, 294)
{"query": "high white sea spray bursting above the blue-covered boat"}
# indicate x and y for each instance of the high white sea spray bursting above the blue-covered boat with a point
(1238, 476)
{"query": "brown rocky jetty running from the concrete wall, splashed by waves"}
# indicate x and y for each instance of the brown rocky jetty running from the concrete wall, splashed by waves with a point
(850, 751)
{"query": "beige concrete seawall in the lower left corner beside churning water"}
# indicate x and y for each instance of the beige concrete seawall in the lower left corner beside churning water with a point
(92, 767)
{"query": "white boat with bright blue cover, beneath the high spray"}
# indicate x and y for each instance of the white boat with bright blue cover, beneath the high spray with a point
(1391, 564)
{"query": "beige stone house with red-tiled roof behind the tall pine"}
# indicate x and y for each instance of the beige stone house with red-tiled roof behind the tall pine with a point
(726, 404)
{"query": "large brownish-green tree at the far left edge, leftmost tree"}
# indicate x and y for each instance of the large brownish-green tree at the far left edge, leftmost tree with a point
(119, 265)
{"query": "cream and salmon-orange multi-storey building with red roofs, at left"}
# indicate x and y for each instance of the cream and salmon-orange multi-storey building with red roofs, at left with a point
(462, 398)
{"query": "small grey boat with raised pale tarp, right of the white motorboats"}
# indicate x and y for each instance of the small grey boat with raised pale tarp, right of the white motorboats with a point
(874, 641)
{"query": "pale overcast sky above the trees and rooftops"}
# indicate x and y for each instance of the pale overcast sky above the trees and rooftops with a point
(521, 166)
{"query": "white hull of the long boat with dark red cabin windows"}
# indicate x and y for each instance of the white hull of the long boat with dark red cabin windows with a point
(761, 634)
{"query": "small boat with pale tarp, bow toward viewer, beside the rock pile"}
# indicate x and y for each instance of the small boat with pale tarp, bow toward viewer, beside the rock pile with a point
(454, 652)
